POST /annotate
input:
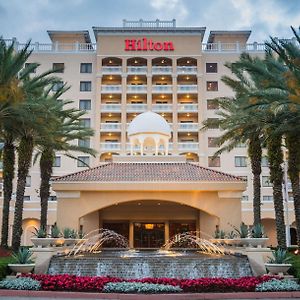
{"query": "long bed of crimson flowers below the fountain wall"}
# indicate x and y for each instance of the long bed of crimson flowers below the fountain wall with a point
(201, 285)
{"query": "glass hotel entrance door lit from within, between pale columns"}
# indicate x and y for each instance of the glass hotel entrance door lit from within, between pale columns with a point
(149, 235)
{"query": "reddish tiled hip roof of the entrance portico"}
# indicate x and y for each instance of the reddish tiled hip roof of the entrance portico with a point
(148, 172)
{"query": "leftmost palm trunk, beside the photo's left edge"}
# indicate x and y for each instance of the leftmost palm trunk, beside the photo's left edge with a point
(8, 176)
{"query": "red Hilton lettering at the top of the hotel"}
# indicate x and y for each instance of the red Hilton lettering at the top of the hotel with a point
(147, 45)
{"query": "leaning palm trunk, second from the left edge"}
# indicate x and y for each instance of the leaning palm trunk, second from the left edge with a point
(24, 161)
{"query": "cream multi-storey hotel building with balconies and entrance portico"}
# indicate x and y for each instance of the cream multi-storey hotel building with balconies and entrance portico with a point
(139, 67)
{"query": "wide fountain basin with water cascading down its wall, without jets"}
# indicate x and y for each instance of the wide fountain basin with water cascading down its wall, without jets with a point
(133, 264)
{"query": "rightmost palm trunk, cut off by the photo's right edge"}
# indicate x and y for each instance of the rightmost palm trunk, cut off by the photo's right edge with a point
(293, 145)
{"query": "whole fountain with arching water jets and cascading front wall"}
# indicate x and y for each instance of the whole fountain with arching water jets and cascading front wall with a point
(200, 258)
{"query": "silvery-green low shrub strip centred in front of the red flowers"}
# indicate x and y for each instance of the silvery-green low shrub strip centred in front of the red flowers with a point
(140, 288)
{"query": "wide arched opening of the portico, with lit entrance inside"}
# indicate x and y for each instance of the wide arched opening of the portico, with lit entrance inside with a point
(150, 223)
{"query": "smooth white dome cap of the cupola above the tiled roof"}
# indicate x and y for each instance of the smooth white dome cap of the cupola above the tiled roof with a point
(149, 122)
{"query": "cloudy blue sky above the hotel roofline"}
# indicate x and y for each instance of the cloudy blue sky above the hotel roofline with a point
(30, 19)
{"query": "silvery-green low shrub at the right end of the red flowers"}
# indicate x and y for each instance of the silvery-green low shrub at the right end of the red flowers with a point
(275, 285)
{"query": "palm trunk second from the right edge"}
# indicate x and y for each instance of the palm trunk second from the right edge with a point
(276, 176)
